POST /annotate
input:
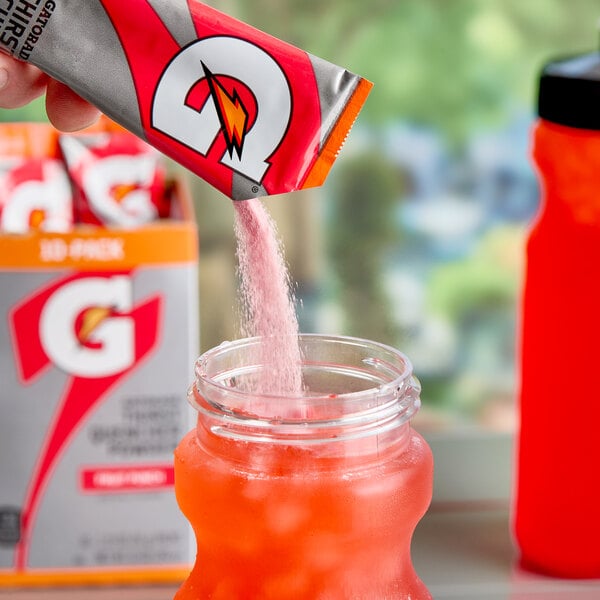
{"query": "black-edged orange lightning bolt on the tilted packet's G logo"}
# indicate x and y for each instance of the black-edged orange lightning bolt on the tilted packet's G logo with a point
(232, 113)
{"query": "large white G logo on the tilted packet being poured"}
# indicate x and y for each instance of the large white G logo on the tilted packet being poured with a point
(229, 86)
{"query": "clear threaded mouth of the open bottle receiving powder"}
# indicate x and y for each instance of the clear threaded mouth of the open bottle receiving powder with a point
(351, 388)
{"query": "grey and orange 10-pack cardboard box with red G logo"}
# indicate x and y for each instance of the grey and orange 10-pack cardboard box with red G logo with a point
(98, 336)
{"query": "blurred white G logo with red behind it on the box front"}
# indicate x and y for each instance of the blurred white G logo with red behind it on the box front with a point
(86, 325)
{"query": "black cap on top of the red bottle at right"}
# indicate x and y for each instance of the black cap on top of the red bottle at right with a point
(569, 91)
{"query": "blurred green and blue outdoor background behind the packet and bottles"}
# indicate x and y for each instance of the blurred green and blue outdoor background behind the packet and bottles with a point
(416, 239)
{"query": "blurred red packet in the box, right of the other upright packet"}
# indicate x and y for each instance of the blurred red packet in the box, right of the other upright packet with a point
(118, 179)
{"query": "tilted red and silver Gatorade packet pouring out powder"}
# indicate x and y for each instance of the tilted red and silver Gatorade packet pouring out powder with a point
(247, 112)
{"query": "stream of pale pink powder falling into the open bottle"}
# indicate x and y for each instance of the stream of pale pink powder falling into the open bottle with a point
(267, 301)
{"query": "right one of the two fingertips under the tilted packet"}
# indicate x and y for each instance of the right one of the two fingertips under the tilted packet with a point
(66, 110)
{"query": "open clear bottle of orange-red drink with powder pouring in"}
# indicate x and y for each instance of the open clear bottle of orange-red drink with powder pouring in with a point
(312, 496)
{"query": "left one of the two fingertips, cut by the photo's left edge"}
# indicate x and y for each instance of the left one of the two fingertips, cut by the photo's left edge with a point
(20, 83)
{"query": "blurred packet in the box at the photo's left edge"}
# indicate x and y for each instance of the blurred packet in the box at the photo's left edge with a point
(35, 192)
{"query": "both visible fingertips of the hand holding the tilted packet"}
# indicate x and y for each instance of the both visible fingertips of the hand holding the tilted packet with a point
(20, 83)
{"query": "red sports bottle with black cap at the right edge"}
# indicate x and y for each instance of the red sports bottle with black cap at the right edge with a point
(557, 501)
